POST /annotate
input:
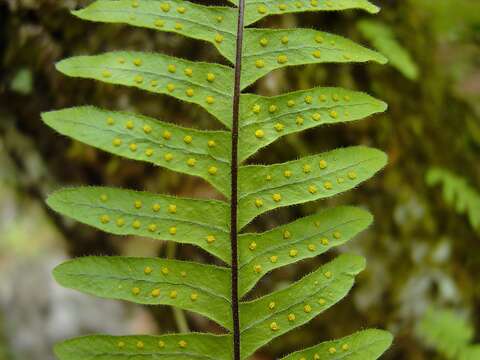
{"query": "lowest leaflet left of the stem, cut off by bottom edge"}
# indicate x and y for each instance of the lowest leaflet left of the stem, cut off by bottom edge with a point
(166, 347)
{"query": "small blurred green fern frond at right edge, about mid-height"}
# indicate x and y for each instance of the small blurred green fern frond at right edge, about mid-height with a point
(458, 193)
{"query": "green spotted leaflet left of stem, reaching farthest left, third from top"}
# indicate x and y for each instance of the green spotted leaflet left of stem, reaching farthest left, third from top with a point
(194, 152)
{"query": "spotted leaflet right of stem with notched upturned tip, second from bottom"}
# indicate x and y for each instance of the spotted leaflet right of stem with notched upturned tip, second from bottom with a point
(275, 314)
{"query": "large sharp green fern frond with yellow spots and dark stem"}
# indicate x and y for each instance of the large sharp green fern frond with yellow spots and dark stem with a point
(251, 122)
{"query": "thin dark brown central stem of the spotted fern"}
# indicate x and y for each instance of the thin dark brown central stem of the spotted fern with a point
(234, 181)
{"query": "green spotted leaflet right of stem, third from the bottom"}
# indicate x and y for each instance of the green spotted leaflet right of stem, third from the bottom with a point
(304, 238)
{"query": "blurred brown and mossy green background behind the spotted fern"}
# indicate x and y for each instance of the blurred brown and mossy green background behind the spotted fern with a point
(423, 251)
